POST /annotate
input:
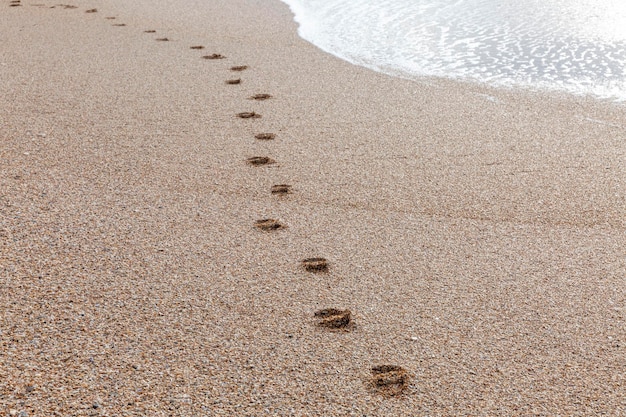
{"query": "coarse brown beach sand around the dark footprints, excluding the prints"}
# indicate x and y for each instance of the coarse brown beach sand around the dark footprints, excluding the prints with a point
(477, 236)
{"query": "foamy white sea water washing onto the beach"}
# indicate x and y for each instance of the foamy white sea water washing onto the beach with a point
(574, 46)
